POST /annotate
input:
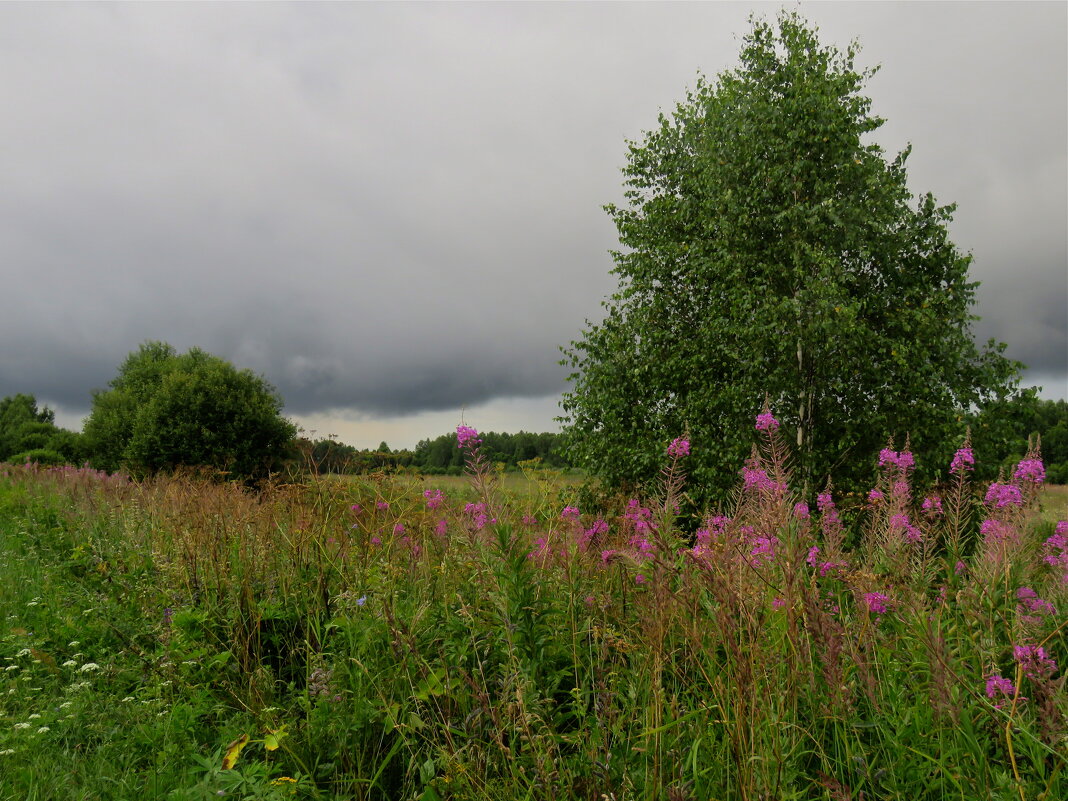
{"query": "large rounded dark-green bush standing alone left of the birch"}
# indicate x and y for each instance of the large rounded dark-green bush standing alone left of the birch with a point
(165, 411)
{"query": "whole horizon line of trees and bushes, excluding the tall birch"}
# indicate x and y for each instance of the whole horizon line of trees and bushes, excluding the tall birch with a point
(166, 412)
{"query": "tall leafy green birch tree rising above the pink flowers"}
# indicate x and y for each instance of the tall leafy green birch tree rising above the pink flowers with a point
(769, 250)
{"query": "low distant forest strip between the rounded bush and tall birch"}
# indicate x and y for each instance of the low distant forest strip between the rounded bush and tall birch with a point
(434, 457)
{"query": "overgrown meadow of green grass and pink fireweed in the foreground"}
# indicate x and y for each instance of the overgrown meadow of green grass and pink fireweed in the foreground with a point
(390, 637)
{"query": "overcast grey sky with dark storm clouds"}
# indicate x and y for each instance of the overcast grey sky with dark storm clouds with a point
(394, 212)
